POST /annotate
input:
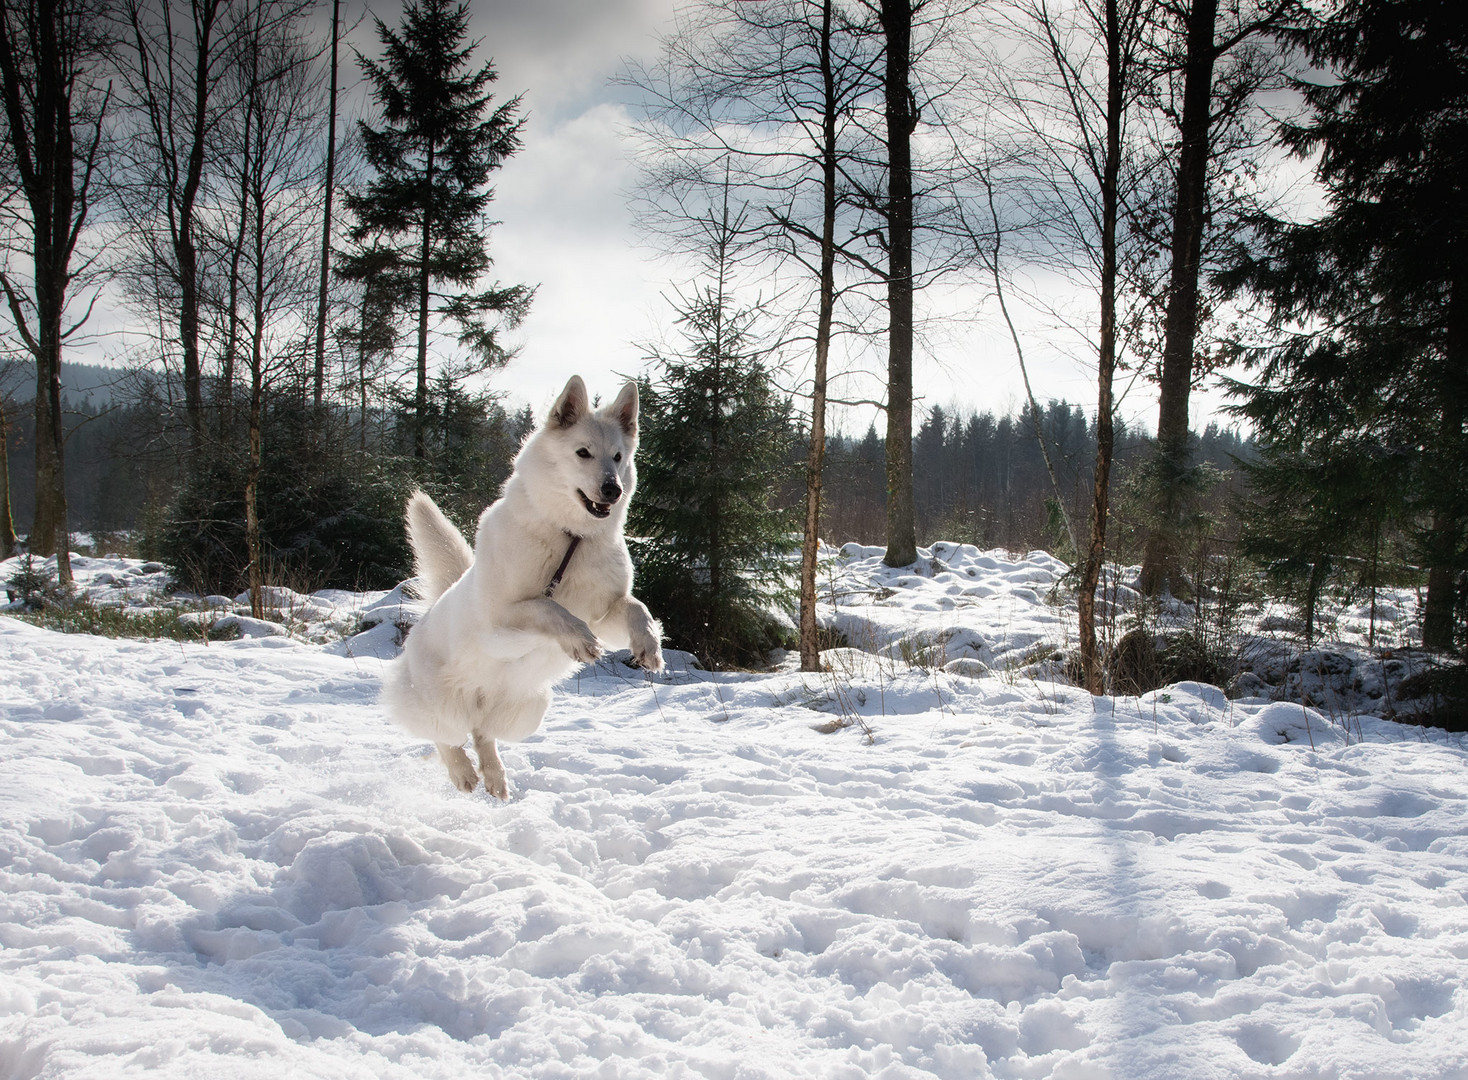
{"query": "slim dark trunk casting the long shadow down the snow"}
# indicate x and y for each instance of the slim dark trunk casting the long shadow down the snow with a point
(1106, 362)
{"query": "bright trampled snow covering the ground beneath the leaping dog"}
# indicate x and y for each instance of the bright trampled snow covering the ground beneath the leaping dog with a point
(219, 861)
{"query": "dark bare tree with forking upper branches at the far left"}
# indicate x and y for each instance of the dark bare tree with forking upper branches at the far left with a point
(55, 106)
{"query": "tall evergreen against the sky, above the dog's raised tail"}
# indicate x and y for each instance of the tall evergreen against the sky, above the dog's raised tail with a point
(428, 200)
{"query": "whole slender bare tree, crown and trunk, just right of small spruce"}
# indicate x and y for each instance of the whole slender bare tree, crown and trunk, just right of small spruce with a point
(730, 76)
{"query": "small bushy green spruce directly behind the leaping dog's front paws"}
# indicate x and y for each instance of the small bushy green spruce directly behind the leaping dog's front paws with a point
(716, 555)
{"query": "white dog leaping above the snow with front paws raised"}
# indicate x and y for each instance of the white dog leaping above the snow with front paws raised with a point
(484, 658)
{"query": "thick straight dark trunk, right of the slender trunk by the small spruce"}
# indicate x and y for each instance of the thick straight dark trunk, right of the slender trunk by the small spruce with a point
(902, 121)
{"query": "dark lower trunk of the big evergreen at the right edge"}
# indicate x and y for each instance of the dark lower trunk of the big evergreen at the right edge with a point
(1451, 454)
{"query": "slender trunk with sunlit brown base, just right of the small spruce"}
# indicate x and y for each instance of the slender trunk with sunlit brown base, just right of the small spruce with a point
(815, 461)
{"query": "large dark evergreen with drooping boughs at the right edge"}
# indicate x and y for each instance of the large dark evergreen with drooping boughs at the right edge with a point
(1385, 271)
